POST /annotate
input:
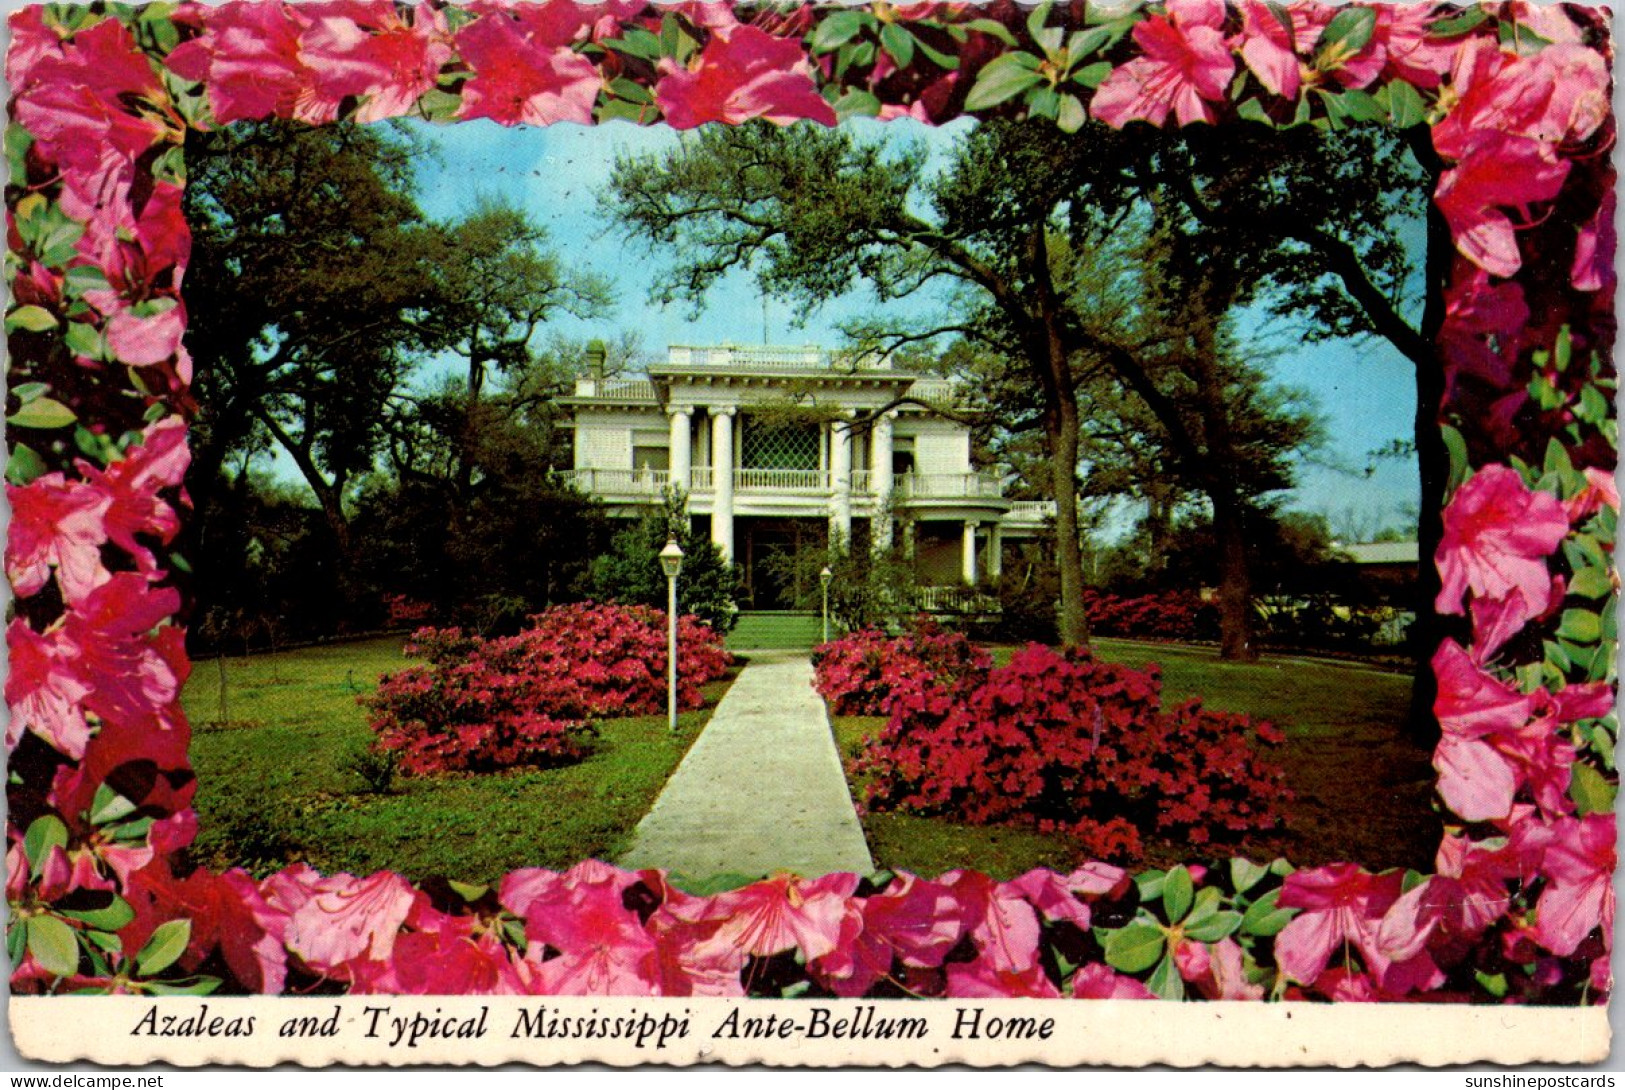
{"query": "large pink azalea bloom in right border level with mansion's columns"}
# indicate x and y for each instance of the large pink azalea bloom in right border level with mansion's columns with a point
(1497, 537)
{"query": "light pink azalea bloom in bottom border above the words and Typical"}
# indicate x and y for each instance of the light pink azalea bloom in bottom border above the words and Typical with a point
(350, 920)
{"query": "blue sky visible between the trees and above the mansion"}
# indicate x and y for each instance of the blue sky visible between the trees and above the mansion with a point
(1364, 391)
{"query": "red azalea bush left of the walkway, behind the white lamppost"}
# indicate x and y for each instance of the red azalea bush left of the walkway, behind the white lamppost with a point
(527, 699)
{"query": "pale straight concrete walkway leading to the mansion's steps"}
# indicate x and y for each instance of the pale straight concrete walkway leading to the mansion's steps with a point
(761, 790)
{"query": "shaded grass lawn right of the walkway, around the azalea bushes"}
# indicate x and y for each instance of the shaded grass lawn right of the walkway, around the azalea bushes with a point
(1363, 792)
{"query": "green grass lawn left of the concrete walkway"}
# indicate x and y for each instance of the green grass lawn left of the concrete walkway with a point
(274, 787)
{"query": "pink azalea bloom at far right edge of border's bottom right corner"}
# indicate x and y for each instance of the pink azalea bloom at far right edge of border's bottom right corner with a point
(1579, 867)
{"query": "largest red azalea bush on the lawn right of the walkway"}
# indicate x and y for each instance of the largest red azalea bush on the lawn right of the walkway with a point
(1072, 745)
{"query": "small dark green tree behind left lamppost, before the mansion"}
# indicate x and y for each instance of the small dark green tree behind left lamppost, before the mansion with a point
(630, 573)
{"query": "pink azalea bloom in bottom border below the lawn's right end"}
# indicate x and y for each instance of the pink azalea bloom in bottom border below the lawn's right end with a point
(1343, 906)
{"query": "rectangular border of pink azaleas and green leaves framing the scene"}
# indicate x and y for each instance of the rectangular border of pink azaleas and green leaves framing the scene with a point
(1519, 103)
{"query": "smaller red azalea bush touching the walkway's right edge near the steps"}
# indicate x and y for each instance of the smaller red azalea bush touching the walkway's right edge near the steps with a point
(862, 672)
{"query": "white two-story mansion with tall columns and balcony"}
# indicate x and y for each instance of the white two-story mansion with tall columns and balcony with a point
(769, 483)
